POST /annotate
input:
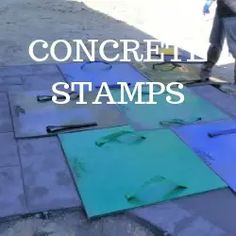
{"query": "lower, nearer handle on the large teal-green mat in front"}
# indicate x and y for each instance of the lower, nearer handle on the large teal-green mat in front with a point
(156, 180)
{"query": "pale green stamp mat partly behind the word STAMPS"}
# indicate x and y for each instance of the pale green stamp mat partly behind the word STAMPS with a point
(163, 114)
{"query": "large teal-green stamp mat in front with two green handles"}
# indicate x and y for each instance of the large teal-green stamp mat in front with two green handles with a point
(117, 169)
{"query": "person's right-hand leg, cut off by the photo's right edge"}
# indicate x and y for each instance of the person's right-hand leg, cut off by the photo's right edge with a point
(230, 30)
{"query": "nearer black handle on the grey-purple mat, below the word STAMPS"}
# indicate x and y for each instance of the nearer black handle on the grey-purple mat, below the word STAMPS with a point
(51, 129)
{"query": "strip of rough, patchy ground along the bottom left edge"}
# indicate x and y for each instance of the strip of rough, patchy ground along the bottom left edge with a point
(73, 223)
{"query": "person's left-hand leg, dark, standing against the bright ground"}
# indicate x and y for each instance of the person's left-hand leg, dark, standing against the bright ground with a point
(214, 51)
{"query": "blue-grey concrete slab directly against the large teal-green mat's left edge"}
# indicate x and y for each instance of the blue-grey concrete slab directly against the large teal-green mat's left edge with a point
(48, 182)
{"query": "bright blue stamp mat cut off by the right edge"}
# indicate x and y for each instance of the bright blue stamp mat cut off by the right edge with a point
(215, 143)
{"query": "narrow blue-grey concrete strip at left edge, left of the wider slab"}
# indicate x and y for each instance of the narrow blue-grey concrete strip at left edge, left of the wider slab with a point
(12, 197)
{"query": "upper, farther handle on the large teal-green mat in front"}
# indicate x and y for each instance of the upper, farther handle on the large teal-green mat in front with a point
(115, 137)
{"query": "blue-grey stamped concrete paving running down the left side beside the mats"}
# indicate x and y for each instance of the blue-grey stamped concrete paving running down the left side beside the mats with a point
(34, 175)
